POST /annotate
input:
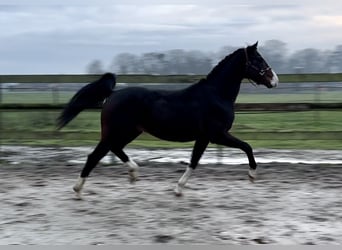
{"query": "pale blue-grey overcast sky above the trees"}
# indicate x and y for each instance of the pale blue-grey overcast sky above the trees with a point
(64, 36)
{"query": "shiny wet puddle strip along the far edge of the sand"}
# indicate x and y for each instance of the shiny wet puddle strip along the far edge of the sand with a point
(78, 155)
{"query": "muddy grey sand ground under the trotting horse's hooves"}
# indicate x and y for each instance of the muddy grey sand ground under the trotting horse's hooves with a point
(290, 203)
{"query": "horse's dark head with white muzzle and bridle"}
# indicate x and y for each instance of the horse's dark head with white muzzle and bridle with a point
(257, 68)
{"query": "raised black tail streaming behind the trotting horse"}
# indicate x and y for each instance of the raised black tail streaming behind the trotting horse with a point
(90, 96)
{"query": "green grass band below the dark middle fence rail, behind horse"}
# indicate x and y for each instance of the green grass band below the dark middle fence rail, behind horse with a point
(310, 129)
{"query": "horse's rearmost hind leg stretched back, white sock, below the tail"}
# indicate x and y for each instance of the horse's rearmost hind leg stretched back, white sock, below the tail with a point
(99, 152)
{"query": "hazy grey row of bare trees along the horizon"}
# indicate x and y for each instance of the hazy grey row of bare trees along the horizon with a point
(179, 61)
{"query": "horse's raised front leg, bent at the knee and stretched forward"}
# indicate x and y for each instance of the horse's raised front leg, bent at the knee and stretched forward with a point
(228, 140)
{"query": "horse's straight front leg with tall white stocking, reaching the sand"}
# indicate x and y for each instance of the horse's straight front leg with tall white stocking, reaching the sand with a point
(199, 148)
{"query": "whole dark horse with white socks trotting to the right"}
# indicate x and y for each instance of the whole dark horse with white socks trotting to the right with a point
(202, 112)
